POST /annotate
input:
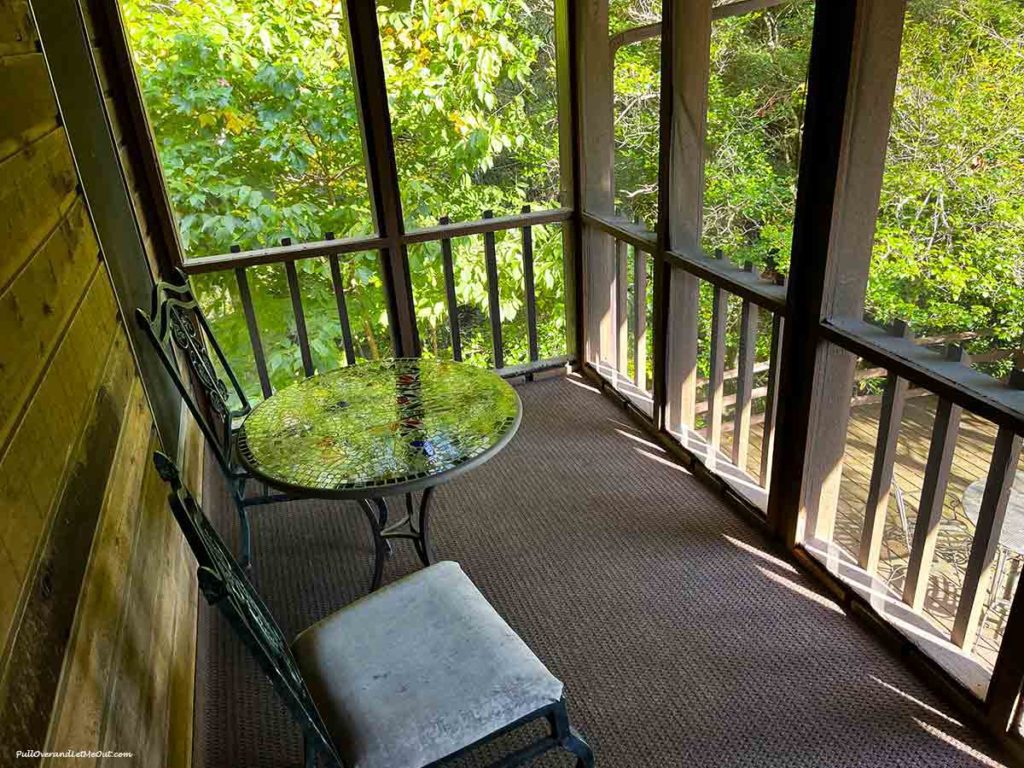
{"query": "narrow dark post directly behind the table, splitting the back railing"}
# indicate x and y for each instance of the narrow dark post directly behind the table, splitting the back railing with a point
(382, 174)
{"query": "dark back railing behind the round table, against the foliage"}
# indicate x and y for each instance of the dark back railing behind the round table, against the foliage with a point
(288, 254)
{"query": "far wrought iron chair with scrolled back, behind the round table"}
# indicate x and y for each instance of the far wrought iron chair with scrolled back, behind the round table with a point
(176, 317)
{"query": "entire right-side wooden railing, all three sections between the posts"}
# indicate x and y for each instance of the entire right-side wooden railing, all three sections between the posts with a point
(891, 355)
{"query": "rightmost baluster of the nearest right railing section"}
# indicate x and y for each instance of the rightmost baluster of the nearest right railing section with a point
(1002, 472)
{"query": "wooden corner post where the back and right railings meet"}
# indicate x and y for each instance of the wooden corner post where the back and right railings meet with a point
(595, 135)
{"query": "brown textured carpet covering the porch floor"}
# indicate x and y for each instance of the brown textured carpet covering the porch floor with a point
(680, 641)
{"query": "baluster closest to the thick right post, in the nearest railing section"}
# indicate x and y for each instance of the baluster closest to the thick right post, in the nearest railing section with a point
(890, 418)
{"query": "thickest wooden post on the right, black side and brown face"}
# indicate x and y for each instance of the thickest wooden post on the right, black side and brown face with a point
(851, 83)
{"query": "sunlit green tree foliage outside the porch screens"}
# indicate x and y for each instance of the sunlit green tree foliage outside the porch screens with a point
(253, 106)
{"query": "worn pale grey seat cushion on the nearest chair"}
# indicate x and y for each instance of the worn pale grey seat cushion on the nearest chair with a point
(419, 670)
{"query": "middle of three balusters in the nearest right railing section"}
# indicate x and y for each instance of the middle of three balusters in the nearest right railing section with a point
(933, 493)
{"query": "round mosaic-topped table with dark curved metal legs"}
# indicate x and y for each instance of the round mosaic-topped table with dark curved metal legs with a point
(383, 429)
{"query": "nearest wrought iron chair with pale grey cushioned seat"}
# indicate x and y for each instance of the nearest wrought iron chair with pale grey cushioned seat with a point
(350, 679)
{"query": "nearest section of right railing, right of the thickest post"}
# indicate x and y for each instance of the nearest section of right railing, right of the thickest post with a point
(959, 389)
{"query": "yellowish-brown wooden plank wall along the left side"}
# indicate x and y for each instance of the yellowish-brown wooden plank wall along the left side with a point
(98, 593)
